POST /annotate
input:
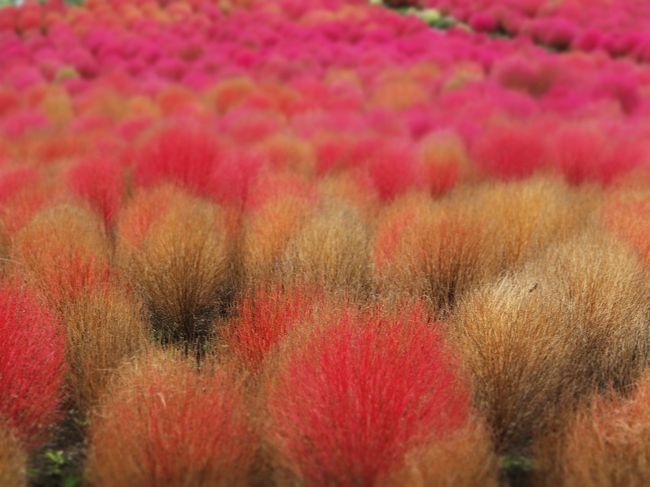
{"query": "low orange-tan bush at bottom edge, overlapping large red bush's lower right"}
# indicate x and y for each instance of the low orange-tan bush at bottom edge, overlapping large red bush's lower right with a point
(465, 458)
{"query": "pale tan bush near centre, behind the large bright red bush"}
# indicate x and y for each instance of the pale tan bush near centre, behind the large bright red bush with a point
(330, 251)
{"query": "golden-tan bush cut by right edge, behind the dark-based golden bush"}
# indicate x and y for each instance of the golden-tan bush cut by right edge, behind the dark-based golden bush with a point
(604, 291)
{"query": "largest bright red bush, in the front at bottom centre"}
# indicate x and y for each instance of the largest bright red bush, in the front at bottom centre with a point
(354, 397)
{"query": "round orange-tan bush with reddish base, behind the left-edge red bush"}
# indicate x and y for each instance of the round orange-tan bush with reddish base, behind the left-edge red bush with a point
(63, 252)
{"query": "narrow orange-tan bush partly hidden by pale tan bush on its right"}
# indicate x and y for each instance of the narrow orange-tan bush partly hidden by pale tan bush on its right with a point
(267, 231)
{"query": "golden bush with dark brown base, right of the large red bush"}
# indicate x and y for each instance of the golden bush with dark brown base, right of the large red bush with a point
(512, 342)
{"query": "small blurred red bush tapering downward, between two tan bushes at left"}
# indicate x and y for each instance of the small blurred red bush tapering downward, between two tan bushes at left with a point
(100, 183)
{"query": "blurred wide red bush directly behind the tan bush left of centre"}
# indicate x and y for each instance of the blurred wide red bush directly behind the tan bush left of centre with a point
(185, 156)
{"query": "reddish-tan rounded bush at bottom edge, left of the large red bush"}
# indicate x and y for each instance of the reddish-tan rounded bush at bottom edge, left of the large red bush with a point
(165, 423)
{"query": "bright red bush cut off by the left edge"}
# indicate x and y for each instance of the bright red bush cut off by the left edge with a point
(32, 351)
